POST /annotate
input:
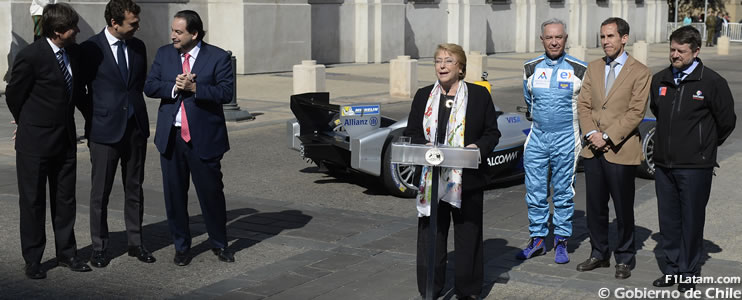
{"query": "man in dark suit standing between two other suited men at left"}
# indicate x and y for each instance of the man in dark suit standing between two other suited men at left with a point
(116, 62)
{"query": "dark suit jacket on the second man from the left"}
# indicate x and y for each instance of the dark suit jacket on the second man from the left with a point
(109, 94)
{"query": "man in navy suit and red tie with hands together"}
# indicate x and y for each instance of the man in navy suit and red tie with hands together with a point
(193, 79)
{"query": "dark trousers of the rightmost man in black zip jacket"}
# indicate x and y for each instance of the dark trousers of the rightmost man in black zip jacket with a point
(682, 195)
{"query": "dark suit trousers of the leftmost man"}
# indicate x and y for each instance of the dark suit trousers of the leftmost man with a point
(33, 173)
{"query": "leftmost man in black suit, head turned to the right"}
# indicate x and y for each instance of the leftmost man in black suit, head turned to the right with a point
(43, 91)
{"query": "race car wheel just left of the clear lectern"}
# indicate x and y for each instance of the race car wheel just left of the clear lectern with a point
(397, 179)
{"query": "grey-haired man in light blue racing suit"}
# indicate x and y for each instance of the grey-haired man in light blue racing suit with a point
(551, 84)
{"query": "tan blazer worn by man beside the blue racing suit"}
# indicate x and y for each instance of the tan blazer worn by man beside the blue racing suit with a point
(619, 113)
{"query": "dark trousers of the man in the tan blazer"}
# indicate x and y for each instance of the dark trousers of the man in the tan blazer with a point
(604, 179)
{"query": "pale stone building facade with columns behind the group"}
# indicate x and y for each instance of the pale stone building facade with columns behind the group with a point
(273, 35)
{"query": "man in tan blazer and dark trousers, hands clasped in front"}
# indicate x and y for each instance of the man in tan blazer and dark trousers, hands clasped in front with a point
(611, 105)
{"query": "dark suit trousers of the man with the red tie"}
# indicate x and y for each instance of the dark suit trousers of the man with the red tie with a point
(178, 163)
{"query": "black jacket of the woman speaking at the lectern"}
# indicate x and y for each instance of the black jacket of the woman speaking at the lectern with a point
(481, 129)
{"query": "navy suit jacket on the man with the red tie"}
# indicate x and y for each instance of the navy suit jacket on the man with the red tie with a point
(214, 87)
